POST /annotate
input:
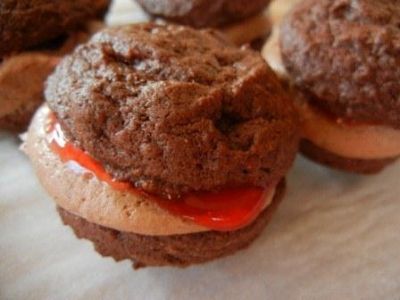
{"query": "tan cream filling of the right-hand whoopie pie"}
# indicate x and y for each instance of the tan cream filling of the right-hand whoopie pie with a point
(350, 141)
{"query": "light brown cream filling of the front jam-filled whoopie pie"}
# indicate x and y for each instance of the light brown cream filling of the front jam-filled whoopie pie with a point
(96, 201)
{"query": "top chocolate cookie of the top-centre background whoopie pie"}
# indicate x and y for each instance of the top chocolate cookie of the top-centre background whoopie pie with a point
(203, 13)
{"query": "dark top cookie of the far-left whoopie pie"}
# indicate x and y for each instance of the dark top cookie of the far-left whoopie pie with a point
(25, 24)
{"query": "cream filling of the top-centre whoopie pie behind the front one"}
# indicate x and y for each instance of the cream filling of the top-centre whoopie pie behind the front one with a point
(248, 30)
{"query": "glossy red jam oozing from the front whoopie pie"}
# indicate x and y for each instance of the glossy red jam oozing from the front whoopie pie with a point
(224, 211)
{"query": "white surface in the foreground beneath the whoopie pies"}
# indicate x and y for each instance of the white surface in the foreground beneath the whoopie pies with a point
(335, 236)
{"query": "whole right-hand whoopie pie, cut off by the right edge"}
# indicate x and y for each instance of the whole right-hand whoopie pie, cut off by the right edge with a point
(342, 60)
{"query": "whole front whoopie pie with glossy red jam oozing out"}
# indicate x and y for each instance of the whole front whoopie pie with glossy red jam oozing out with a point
(163, 144)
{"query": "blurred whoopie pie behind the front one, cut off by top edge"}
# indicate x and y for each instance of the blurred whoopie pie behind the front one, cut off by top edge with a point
(241, 20)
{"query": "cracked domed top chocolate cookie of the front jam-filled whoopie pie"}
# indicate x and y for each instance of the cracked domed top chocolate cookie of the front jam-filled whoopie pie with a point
(172, 109)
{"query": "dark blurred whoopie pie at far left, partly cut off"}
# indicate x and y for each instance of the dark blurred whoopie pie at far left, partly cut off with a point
(33, 37)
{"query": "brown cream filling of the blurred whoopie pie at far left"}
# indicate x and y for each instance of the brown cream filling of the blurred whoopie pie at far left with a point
(22, 75)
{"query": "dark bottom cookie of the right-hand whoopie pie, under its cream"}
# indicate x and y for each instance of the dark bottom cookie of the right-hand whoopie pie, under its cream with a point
(327, 158)
